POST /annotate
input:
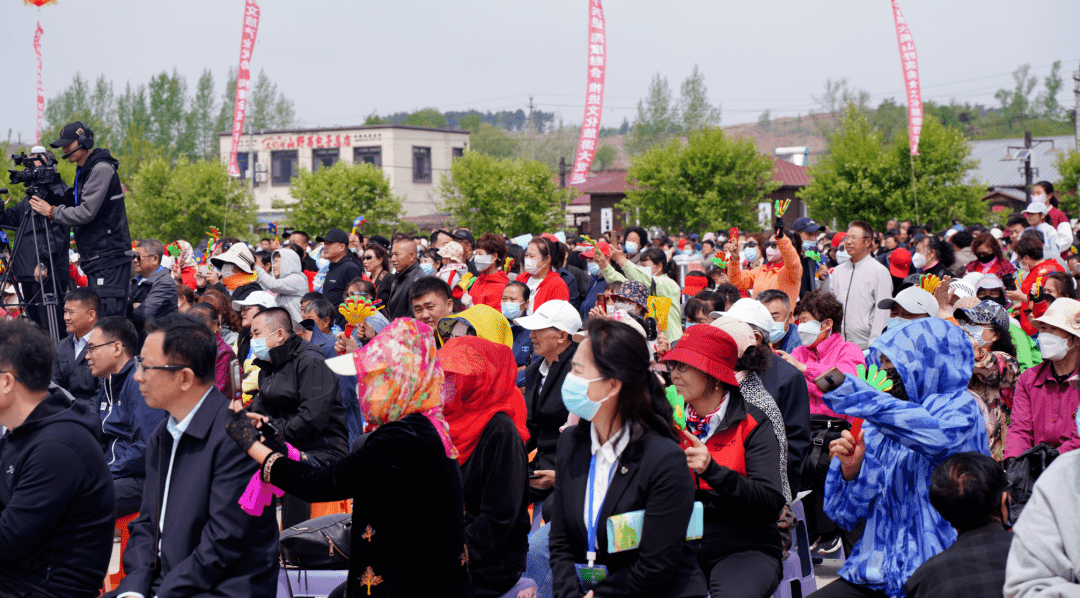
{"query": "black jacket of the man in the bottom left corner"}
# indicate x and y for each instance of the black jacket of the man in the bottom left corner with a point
(57, 500)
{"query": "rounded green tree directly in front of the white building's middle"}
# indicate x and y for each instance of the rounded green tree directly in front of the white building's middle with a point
(334, 197)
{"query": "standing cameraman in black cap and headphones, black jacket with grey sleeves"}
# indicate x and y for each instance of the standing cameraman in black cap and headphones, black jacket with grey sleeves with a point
(98, 212)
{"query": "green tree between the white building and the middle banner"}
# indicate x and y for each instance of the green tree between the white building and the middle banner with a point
(510, 197)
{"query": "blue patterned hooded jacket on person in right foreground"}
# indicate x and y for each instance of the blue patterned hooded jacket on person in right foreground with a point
(906, 440)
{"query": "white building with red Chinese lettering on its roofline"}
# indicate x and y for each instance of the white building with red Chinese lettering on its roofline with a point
(413, 158)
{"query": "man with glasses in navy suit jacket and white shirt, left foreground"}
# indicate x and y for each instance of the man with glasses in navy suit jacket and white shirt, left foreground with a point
(195, 478)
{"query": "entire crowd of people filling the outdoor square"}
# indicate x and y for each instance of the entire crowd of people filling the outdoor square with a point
(634, 415)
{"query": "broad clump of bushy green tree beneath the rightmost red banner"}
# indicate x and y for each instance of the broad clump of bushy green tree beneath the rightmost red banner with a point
(865, 179)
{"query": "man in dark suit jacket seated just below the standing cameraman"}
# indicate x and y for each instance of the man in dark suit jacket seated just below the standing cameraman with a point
(71, 372)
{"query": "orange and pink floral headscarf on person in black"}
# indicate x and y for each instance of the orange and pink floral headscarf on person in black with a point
(399, 375)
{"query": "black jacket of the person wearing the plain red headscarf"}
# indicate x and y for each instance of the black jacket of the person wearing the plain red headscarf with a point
(497, 520)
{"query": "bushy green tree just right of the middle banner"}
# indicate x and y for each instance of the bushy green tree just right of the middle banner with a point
(714, 182)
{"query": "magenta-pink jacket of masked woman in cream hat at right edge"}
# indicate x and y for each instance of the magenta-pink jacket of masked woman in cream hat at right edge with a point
(1043, 413)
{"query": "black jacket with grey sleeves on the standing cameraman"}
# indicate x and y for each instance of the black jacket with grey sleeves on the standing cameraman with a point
(100, 216)
